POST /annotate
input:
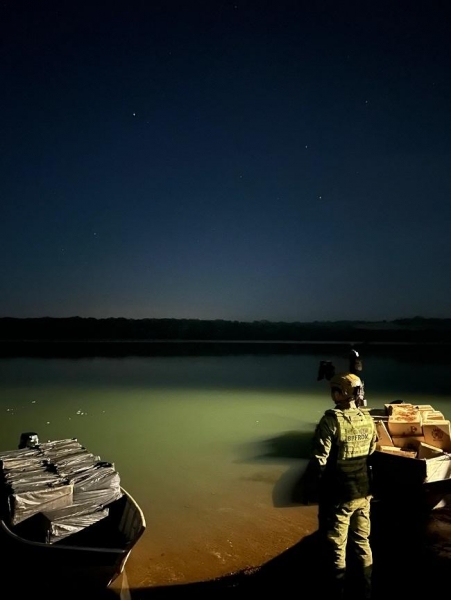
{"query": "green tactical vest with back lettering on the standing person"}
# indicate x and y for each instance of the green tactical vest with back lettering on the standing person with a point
(347, 472)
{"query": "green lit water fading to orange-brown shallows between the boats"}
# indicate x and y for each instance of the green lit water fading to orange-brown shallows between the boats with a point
(210, 446)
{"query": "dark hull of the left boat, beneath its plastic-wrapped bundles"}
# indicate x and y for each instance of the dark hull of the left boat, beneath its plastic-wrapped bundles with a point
(88, 560)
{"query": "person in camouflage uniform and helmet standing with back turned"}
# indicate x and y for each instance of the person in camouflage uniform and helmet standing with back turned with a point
(343, 440)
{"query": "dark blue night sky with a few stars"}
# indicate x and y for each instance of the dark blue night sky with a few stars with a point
(239, 160)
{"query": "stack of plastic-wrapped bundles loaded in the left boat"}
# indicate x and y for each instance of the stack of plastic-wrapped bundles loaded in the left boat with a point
(67, 486)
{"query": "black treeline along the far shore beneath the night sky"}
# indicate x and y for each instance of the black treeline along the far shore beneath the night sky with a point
(414, 330)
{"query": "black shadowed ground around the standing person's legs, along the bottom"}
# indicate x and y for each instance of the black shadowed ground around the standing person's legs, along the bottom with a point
(407, 559)
